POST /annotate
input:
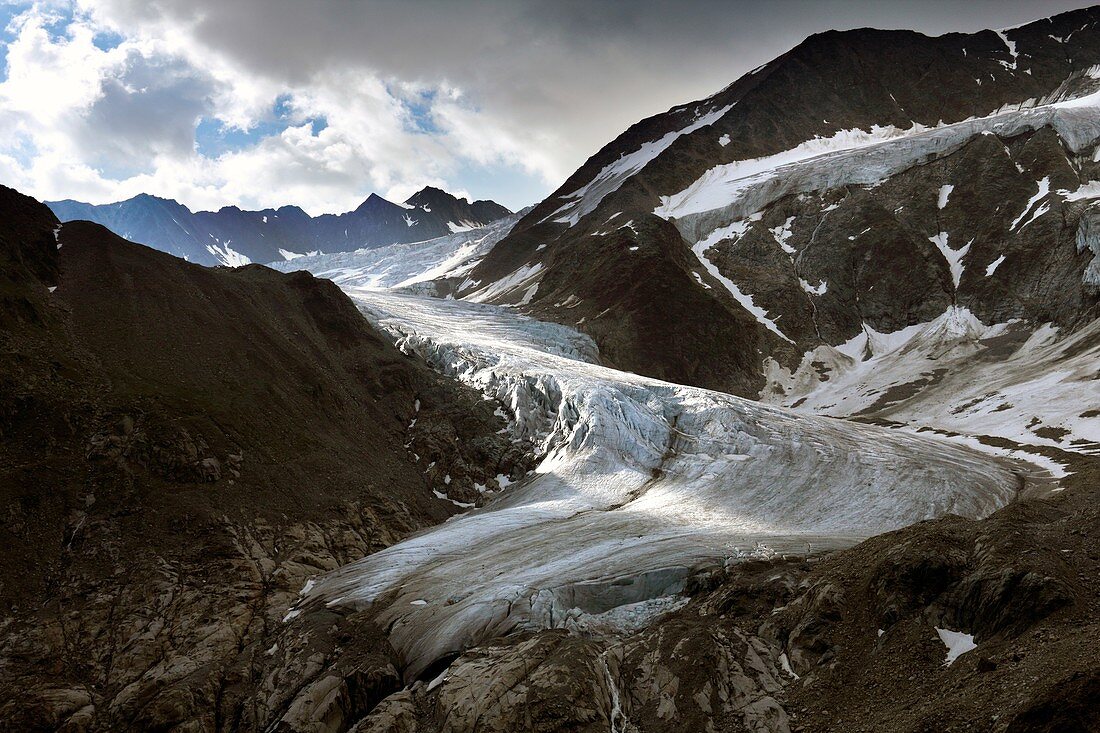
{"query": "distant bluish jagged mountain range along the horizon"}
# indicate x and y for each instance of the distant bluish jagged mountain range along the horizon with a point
(235, 237)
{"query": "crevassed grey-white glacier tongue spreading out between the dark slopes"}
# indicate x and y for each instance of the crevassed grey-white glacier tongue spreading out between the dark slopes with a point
(641, 483)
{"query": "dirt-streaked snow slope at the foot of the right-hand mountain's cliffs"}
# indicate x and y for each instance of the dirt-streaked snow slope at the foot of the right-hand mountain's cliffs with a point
(1032, 387)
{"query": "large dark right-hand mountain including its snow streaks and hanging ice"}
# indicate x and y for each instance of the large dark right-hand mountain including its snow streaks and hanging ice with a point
(866, 178)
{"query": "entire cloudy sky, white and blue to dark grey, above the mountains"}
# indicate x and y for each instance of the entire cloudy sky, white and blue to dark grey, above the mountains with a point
(265, 103)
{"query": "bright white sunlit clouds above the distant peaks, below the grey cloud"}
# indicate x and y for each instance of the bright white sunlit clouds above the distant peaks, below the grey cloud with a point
(104, 125)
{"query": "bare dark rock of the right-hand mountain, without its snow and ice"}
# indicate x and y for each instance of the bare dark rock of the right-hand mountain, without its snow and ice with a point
(650, 314)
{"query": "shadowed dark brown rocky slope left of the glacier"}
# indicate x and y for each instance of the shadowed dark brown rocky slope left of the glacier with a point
(182, 450)
